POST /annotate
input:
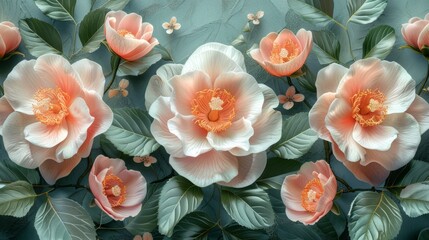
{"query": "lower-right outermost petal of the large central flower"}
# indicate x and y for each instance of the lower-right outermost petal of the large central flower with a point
(250, 168)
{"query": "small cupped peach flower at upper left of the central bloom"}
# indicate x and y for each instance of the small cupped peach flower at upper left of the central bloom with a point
(127, 36)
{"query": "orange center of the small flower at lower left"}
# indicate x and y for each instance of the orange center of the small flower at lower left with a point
(114, 189)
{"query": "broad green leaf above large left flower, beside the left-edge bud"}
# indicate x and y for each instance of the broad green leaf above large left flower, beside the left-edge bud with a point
(40, 37)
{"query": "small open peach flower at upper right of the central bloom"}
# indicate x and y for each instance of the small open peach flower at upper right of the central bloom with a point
(283, 54)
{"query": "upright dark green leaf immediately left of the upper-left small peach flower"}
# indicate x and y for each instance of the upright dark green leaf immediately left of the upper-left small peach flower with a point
(91, 30)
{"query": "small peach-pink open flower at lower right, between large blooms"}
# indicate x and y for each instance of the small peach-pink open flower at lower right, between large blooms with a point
(309, 194)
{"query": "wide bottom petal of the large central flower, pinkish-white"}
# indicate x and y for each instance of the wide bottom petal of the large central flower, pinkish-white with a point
(207, 168)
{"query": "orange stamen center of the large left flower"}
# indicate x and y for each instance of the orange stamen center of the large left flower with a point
(51, 105)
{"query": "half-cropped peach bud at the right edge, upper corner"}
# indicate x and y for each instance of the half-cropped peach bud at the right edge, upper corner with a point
(416, 32)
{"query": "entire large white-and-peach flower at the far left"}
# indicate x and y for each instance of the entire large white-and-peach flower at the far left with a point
(50, 113)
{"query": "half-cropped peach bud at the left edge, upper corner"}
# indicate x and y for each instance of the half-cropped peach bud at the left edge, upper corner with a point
(10, 38)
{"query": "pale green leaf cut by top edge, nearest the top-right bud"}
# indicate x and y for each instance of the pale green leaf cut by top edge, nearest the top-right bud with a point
(365, 11)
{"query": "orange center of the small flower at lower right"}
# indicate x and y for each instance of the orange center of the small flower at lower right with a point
(311, 194)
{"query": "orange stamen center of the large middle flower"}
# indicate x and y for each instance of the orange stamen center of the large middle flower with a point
(214, 109)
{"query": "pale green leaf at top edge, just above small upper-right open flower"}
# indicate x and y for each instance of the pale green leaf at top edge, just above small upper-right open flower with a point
(310, 13)
